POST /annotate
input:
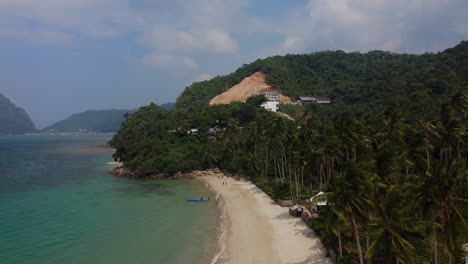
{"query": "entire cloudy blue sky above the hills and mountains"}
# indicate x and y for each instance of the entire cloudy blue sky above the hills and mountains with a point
(59, 57)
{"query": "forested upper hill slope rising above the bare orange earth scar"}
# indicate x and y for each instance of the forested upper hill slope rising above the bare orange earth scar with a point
(375, 80)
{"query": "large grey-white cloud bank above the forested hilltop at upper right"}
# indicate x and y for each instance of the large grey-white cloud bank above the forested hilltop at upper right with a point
(397, 25)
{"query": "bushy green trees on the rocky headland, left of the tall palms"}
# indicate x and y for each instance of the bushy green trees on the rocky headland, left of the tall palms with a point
(154, 140)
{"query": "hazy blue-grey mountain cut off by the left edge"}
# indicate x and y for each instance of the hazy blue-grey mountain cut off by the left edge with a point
(13, 119)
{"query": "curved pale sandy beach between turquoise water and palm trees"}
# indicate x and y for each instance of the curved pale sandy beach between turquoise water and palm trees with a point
(260, 231)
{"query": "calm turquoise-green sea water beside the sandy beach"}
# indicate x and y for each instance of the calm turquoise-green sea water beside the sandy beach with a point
(59, 205)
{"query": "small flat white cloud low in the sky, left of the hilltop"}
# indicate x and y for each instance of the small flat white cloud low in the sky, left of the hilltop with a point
(169, 61)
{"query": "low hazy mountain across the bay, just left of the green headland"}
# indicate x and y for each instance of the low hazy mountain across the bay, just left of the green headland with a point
(90, 121)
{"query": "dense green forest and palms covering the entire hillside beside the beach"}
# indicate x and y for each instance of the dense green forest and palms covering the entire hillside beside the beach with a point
(392, 164)
